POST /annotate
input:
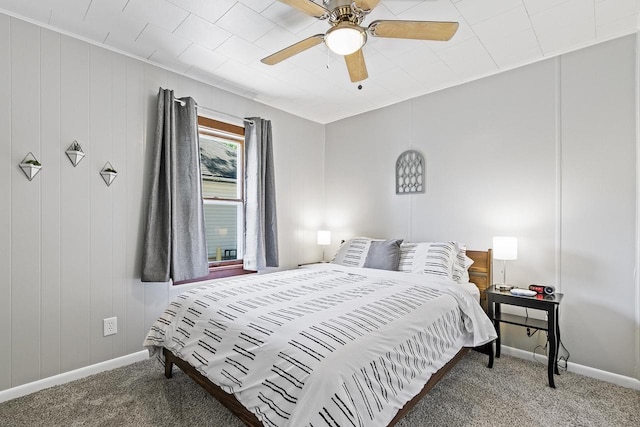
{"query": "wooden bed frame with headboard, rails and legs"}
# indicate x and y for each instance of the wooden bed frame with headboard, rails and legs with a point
(479, 274)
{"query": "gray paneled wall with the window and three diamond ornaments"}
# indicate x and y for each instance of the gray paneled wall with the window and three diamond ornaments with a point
(70, 245)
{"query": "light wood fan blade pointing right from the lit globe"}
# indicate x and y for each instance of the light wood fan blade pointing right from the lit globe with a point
(419, 30)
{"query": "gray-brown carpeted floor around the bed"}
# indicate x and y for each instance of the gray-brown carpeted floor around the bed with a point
(514, 393)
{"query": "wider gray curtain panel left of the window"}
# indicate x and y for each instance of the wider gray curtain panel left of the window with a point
(175, 245)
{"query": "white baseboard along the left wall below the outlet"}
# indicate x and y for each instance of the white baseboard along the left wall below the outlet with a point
(77, 374)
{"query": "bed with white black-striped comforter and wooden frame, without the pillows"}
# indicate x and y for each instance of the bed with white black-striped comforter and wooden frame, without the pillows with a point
(325, 344)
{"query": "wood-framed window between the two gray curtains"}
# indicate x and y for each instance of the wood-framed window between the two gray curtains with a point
(222, 167)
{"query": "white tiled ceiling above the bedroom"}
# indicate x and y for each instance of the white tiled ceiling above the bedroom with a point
(221, 42)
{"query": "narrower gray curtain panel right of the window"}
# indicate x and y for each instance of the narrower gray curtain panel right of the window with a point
(261, 230)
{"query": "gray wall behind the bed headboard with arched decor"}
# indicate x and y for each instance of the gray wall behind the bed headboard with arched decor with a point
(547, 153)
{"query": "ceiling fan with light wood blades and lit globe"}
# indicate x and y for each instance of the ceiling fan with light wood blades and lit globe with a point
(346, 37)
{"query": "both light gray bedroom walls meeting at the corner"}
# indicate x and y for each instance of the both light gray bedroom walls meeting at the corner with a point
(545, 152)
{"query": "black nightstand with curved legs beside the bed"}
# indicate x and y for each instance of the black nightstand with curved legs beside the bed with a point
(548, 303)
